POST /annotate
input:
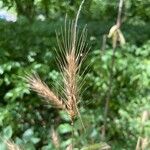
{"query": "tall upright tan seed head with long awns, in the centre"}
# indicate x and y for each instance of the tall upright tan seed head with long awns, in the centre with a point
(71, 67)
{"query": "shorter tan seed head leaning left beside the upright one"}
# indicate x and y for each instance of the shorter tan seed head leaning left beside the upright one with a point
(43, 90)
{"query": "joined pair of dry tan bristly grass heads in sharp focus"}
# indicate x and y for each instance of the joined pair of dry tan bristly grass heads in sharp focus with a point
(71, 47)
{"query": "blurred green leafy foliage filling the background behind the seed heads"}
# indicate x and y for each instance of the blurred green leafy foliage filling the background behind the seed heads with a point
(27, 46)
